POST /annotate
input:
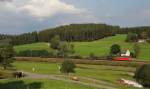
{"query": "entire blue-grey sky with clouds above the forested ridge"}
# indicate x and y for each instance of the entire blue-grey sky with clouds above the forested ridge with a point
(19, 16)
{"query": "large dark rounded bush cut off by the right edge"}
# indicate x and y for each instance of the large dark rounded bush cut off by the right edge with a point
(142, 75)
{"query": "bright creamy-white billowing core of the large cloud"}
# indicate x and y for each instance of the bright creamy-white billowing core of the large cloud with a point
(48, 8)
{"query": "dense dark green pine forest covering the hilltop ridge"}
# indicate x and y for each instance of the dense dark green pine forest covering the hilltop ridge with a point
(72, 32)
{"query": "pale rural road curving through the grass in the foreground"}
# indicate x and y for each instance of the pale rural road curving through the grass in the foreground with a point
(103, 85)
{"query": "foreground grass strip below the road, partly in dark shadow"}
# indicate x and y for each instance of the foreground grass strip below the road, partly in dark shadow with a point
(40, 84)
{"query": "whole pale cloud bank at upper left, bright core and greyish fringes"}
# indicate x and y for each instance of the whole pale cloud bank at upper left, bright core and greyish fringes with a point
(42, 9)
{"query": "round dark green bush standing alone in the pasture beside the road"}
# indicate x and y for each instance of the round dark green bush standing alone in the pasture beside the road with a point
(68, 67)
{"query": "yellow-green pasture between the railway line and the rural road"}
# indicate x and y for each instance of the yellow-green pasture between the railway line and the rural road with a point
(109, 74)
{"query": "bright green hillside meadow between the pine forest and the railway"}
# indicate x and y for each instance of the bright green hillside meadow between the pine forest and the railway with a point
(100, 47)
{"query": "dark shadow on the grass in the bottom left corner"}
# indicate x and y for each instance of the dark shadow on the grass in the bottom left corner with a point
(20, 85)
